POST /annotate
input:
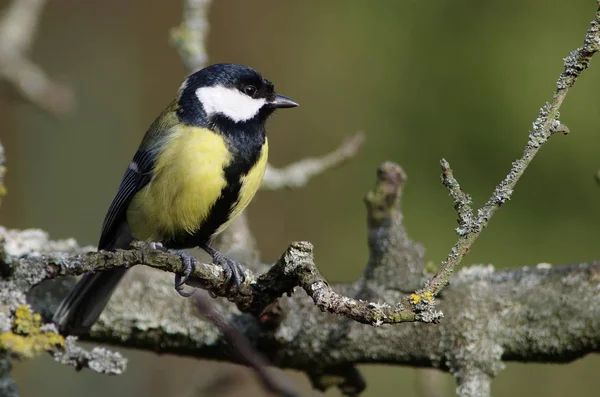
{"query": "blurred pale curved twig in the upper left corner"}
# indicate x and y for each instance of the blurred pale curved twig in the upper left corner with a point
(18, 26)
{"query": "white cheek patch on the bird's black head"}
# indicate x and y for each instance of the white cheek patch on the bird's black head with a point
(229, 102)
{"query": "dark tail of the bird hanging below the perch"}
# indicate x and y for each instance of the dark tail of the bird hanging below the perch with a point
(82, 307)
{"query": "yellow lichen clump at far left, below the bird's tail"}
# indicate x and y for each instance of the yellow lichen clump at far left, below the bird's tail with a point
(27, 340)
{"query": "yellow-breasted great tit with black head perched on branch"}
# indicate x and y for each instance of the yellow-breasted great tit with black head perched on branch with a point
(198, 166)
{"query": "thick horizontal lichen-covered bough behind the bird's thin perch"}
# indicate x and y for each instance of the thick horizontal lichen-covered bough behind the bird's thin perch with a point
(547, 314)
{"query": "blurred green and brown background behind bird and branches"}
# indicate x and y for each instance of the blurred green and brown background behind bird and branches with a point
(425, 79)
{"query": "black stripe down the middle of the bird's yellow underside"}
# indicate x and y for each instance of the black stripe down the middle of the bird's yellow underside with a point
(246, 146)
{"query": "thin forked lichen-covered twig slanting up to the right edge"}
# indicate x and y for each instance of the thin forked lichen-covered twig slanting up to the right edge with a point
(546, 125)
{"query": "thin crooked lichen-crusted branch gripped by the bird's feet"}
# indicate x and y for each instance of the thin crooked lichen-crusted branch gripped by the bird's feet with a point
(295, 268)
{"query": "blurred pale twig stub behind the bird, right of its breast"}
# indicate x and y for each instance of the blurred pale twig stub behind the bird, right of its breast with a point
(298, 174)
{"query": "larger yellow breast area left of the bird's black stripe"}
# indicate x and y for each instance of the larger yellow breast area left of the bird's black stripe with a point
(188, 179)
